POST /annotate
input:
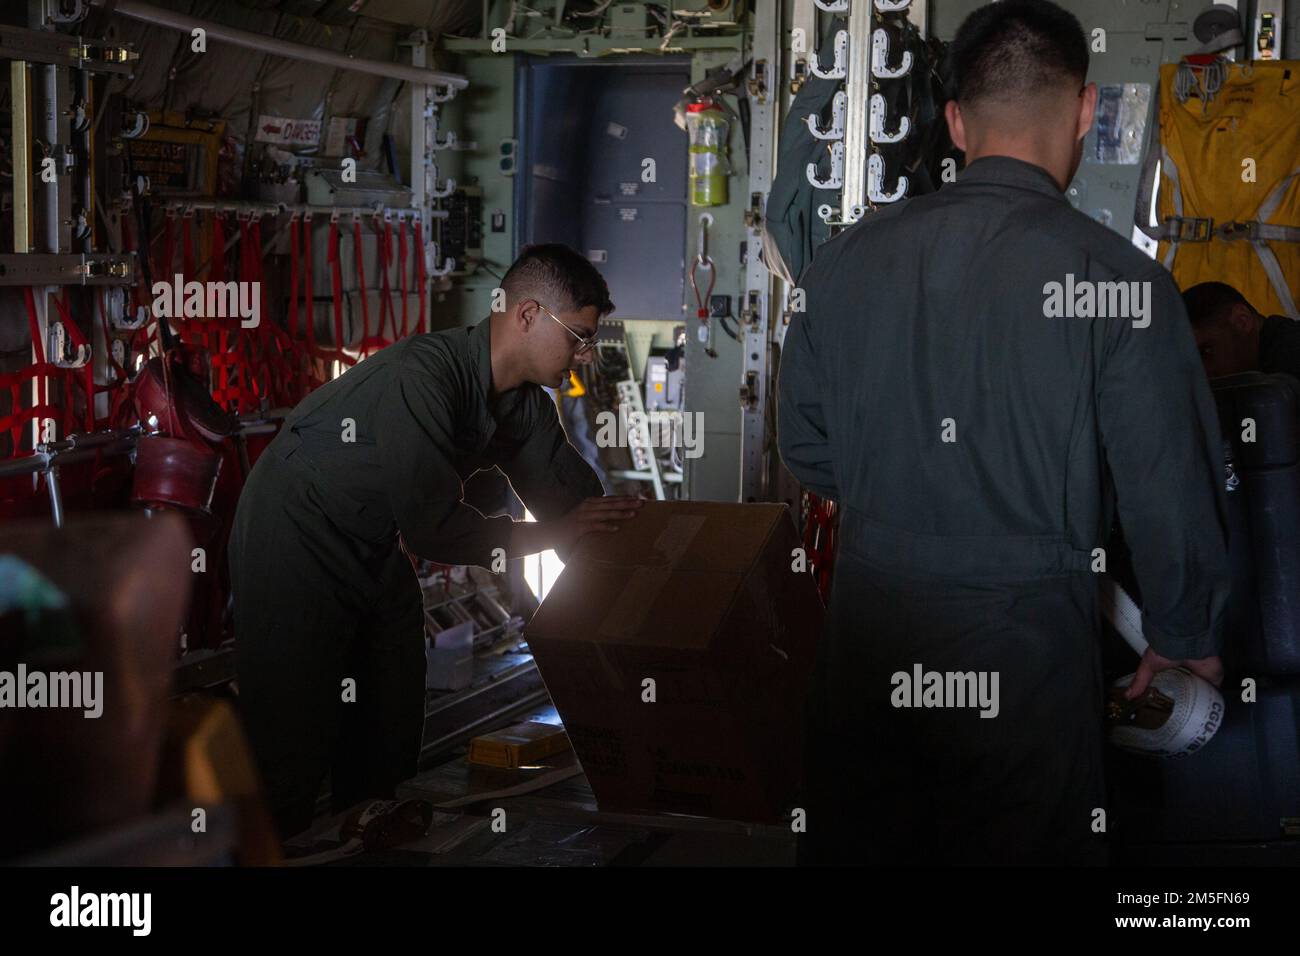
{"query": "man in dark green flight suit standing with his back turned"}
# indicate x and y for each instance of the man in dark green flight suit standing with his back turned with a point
(977, 432)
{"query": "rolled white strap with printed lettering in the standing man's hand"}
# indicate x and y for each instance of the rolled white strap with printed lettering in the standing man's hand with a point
(1177, 716)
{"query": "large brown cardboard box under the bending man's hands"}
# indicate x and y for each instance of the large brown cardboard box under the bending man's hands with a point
(703, 600)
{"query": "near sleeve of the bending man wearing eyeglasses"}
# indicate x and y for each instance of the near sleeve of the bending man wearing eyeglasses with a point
(415, 438)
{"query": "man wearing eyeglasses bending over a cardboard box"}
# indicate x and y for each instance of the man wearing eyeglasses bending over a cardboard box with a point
(367, 470)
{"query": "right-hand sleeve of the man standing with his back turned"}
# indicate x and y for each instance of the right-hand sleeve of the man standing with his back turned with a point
(1162, 436)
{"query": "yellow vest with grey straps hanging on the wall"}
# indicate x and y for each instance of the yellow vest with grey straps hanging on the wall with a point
(1229, 197)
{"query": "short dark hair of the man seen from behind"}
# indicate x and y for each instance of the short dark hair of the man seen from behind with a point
(1012, 50)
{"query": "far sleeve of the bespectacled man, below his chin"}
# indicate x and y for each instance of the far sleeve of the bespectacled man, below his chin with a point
(547, 473)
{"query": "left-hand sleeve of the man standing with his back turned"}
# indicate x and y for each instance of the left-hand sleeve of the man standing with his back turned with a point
(801, 430)
